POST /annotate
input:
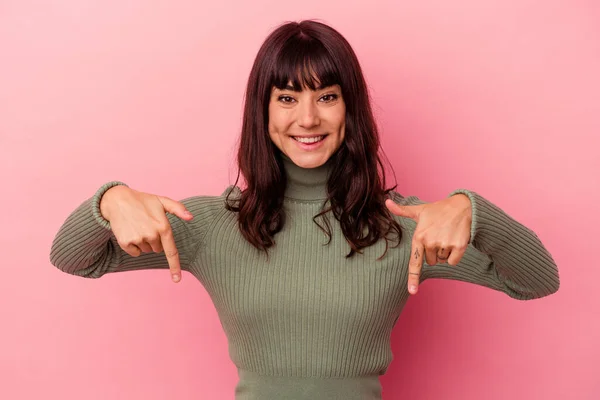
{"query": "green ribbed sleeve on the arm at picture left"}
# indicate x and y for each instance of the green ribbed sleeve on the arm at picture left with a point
(86, 246)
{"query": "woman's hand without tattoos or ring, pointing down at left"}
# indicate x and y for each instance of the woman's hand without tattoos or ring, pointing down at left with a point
(140, 225)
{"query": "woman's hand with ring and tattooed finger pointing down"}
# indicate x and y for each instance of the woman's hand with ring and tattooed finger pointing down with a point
(443, 232)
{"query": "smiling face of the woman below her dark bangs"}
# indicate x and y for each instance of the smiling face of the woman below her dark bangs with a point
(307, 126)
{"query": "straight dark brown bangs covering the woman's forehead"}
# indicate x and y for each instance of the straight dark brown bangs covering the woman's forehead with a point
(305, 63)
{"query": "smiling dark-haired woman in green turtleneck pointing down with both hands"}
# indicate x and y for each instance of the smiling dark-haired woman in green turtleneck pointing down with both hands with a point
(310, 264)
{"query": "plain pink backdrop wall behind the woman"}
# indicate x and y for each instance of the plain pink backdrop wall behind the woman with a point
(501, 97)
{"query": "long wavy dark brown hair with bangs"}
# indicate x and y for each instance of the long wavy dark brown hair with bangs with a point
(309, 53)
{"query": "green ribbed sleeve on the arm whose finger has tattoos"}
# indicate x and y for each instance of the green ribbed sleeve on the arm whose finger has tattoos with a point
(502, 254)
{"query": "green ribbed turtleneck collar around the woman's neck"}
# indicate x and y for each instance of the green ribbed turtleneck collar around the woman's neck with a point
(306, 183)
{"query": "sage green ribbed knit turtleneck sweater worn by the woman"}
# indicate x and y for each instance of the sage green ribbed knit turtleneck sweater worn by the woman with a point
(309, 323)
